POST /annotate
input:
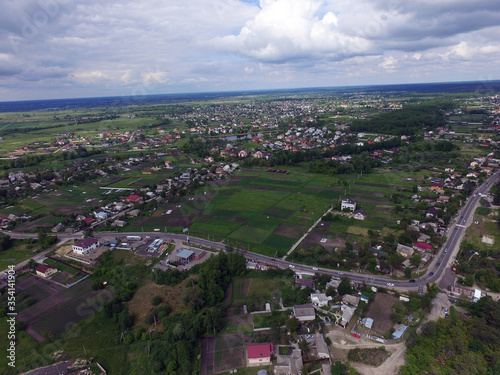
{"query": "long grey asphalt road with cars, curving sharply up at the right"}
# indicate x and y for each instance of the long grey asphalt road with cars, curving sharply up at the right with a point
(436, 270)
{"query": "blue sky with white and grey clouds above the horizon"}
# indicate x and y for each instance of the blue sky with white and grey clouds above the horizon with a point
(84, 48)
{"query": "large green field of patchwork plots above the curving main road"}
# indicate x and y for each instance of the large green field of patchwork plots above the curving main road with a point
(254, 209)
